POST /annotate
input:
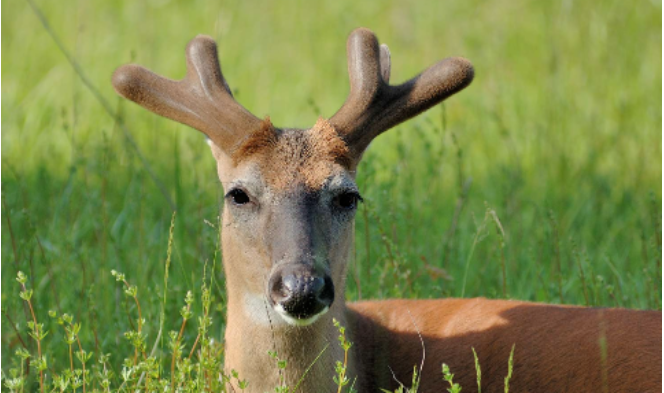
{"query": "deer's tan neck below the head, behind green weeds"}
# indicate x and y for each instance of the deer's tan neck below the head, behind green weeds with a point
(254, 330)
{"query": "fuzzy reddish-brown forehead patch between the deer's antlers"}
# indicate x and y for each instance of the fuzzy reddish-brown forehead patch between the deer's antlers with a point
(293, 156)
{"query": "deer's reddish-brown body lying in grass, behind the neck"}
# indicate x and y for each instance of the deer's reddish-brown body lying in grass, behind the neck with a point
(557, 348)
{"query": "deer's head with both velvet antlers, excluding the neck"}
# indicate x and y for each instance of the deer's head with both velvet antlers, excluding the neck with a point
(290, 193)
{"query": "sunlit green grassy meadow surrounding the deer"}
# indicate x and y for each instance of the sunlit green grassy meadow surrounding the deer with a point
(542, 181)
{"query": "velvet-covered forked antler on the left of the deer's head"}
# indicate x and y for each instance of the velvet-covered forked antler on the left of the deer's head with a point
(201, 100)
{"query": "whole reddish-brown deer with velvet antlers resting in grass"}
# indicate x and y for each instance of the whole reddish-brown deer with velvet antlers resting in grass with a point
(288, 227)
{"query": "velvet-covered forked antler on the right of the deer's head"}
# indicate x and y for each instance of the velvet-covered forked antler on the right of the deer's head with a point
(373, 106)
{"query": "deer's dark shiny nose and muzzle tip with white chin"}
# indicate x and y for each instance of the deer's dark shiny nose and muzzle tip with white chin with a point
(299, 294)
